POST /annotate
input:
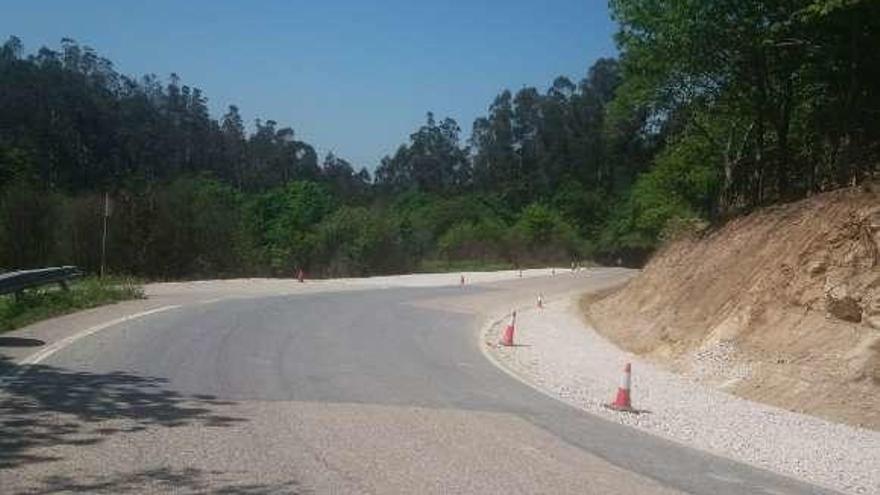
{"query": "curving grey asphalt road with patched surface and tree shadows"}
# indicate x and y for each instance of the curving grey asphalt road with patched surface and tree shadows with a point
(377, 391)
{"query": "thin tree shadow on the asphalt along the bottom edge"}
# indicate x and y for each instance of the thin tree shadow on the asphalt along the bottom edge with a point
(164, 480)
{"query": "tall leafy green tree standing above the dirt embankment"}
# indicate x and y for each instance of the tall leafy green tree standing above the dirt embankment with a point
(754, 77)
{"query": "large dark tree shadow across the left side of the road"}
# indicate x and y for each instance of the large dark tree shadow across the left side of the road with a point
(43, 406)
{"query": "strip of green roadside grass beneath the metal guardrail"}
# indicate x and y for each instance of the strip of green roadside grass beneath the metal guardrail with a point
(50, 301)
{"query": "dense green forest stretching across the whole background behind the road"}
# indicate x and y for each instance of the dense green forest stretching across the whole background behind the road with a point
(712, 108)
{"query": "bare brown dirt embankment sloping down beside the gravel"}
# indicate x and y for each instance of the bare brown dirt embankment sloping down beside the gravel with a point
(781, 306)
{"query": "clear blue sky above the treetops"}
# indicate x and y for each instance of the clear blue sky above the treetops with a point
(354, 77)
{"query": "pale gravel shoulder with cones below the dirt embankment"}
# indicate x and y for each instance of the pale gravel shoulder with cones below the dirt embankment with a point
(559, 354)
